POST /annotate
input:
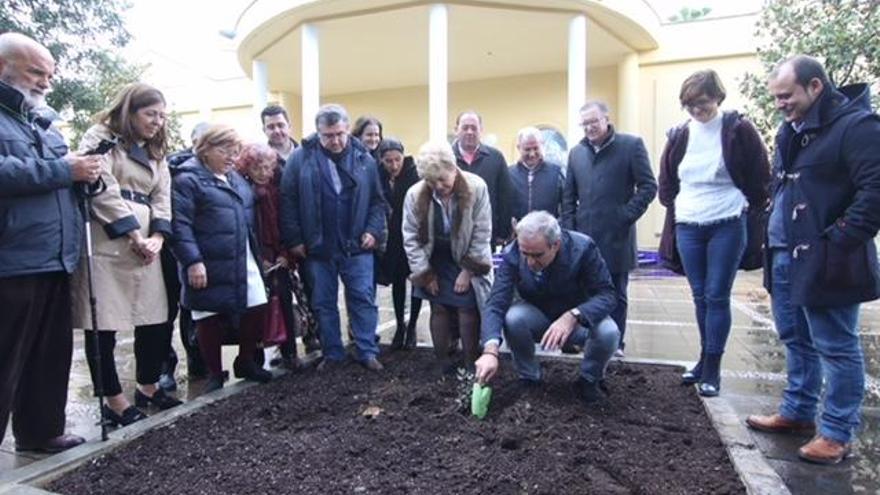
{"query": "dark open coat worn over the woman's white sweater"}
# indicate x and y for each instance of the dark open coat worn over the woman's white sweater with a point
(745, 159)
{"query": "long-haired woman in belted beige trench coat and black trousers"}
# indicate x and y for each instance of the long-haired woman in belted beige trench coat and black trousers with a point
(130, 221)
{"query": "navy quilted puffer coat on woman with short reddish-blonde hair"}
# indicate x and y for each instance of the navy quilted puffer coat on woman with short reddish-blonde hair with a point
(212, 221)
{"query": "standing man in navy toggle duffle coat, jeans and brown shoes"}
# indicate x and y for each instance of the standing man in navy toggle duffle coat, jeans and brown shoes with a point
(822, 261)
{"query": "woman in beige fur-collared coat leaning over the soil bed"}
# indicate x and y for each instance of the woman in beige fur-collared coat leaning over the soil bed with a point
(447, 228)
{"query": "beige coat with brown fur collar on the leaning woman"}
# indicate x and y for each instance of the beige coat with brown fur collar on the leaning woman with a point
(470, 237)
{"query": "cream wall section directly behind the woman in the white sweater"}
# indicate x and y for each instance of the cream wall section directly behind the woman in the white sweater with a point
(660, 110)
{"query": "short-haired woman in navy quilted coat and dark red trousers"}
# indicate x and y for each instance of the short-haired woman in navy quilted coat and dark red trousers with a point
(216, 249)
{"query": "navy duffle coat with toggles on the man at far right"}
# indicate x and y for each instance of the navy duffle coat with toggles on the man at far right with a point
(832, 210)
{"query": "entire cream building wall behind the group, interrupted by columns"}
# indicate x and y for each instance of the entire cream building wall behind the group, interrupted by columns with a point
(508, 104)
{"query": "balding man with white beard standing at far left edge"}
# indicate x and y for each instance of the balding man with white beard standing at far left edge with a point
(40, 240)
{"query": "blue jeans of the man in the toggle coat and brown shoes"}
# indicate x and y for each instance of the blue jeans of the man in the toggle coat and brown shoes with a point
(819, 341)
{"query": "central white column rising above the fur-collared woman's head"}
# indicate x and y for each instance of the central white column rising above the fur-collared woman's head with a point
(438, 57)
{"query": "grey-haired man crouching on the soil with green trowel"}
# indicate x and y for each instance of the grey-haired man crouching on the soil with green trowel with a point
(567, 296)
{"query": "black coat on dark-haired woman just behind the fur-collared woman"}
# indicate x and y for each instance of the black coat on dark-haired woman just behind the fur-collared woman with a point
(393, 263)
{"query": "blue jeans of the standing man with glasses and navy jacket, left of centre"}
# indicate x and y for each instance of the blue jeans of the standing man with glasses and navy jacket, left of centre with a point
(356, 273)
